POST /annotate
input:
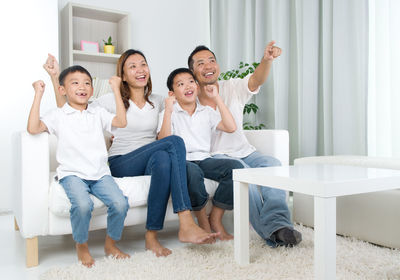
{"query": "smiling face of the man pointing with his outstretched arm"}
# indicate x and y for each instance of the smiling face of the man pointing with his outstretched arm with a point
(205, 68)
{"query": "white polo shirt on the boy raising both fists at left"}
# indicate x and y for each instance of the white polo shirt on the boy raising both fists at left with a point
(81, 149)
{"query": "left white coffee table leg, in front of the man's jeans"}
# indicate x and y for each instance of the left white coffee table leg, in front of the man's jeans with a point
(241, 222)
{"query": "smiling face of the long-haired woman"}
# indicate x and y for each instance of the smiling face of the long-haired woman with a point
(136, 71)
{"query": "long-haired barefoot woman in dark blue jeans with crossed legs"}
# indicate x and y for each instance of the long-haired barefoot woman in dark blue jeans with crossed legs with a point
(136, 152)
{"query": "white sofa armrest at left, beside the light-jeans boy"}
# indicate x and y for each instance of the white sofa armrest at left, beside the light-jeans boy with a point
(31, 172)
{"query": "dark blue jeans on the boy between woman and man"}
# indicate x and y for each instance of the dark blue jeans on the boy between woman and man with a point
(219, 170)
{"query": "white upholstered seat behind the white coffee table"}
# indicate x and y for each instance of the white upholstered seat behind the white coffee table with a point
(373, 217)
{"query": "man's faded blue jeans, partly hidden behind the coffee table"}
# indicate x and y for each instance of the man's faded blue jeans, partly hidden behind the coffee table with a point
(267, 206)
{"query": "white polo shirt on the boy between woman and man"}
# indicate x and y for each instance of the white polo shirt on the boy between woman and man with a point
(195, 130)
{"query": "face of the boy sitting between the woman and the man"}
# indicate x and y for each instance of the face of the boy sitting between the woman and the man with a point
(185, 88)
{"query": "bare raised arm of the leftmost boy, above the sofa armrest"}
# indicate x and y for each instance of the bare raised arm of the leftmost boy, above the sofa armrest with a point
(35, 125)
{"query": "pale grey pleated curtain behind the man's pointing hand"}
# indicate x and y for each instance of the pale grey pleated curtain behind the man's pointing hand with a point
(318, 87)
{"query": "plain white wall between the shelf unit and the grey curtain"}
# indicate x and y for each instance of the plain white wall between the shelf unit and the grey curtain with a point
(165, 31)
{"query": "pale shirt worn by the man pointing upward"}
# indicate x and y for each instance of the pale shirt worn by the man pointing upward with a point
(235, 93)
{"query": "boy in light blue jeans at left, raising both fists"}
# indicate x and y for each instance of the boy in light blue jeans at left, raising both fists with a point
(82, 155)
